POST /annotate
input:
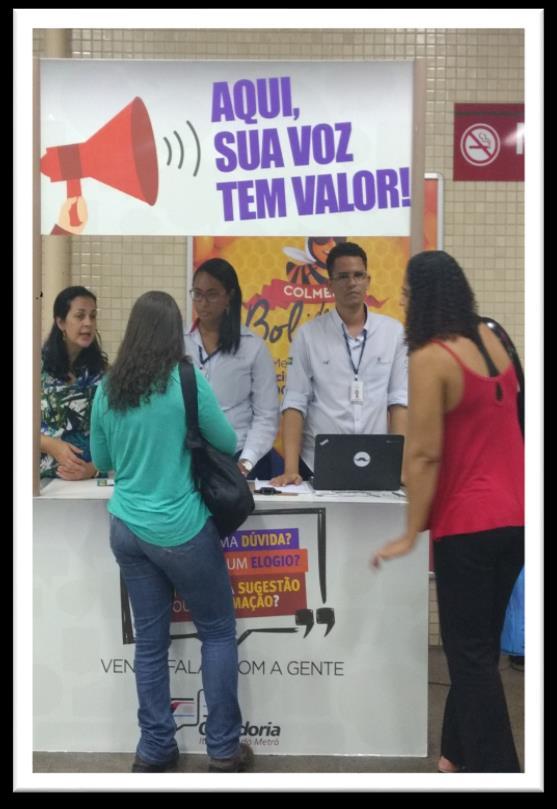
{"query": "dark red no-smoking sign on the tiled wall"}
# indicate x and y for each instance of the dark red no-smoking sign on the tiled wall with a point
(489, 142)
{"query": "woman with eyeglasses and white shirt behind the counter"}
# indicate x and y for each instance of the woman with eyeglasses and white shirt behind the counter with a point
(236, 363)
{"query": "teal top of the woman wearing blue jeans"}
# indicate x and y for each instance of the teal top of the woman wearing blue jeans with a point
(154, 492)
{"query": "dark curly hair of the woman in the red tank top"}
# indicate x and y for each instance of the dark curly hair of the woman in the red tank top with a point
(441, 303)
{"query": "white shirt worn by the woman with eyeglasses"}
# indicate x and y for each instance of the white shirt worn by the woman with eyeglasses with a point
(245, 385)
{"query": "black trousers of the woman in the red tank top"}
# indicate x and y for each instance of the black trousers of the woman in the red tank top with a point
(475, 574)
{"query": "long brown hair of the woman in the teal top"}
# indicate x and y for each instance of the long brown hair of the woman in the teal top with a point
(153, 343)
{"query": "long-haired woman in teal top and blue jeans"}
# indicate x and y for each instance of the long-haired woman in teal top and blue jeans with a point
(161, 532)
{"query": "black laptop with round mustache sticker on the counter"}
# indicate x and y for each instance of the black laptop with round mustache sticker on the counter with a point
(358, 462)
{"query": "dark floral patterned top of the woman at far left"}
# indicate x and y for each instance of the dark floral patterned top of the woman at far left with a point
(66, 413)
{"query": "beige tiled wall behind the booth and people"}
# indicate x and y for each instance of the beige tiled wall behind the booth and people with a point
(484, 227)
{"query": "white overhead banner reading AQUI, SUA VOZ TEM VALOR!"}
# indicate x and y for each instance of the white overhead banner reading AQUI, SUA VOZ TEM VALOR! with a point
(226, 147)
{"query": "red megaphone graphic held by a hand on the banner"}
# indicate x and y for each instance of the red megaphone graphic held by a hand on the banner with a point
(122, 154)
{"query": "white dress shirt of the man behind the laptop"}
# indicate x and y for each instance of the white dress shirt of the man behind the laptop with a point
(320, 376)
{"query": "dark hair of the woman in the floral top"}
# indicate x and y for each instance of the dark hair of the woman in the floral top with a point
(55, 357)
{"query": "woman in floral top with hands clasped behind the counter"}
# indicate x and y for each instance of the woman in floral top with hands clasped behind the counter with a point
(72, 367)
